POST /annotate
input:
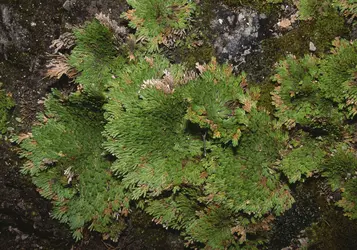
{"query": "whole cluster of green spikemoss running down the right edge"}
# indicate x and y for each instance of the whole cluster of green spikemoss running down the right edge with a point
(317, 97)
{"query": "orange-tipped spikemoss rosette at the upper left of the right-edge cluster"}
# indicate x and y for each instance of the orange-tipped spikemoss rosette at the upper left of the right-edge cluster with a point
(298, 97)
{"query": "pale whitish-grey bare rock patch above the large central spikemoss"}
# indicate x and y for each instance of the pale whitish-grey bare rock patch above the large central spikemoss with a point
(236, 33)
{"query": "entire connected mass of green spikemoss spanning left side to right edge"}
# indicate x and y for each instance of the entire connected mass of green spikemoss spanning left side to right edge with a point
(190, 147)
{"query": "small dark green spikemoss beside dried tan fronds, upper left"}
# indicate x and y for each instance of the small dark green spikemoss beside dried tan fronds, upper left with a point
(97, 54)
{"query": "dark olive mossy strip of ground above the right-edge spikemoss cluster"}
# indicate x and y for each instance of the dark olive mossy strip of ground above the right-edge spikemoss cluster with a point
(320, 31)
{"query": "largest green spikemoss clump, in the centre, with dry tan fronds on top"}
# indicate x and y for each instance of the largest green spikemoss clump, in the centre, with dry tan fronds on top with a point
(195, 154)
